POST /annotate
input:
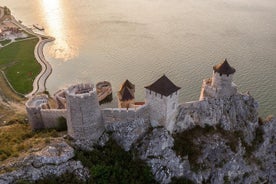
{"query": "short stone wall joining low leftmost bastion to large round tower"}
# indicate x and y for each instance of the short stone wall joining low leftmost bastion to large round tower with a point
(50, 117)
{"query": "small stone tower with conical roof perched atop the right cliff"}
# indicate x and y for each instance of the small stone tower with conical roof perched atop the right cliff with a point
(220, 85)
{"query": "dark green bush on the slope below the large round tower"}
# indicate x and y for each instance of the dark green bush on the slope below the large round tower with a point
(111, 164)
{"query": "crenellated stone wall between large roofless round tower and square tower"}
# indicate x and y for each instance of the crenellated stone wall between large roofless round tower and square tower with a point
(111, 115)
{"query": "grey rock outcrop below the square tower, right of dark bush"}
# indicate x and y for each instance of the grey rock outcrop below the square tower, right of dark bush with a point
(156, 150)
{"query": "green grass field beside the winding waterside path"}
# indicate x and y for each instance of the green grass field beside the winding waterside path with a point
(19, 64)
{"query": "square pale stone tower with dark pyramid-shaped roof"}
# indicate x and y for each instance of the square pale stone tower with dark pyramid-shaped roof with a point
(162, 99)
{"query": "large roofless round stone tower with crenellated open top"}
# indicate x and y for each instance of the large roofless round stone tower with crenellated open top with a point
(84, 118)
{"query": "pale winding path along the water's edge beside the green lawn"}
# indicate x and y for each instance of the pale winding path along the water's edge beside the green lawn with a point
(39, 84)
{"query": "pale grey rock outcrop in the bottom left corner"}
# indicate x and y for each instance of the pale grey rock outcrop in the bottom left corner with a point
(54, 159)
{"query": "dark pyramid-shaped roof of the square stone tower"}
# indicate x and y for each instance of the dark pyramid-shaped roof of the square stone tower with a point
(163, 86)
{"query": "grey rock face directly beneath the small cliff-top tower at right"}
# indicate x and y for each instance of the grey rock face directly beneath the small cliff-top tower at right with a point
(234, 113)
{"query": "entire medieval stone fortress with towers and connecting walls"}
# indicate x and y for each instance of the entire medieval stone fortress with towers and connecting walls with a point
(86, 120)
